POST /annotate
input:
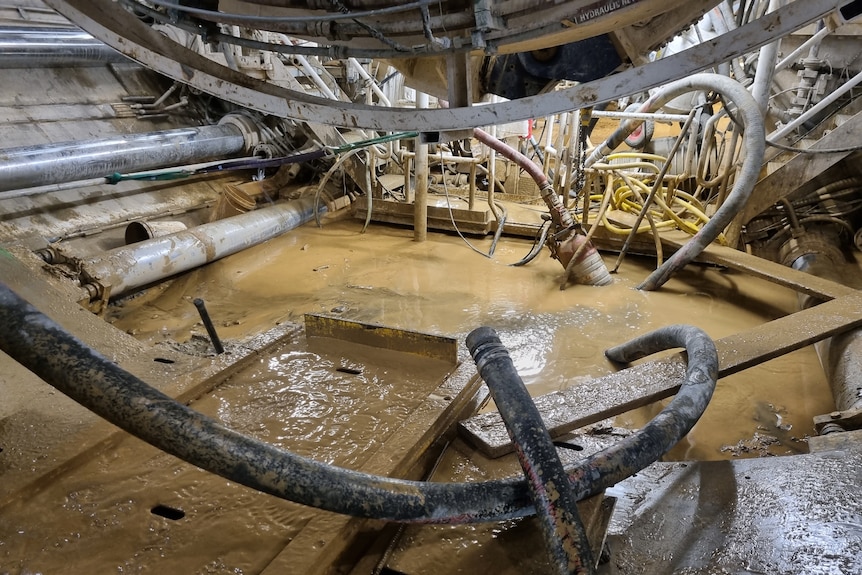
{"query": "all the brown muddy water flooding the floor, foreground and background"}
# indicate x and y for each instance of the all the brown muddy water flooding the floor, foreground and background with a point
(311, 400)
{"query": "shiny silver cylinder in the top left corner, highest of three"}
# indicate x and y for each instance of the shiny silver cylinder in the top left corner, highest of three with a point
(39, 46)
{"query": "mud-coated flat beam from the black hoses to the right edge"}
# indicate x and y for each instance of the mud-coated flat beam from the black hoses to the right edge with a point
(613, 394)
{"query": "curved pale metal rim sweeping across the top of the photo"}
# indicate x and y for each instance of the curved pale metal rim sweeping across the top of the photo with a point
(121, 30)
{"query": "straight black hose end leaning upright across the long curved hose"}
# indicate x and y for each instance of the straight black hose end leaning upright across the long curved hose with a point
(562, 529)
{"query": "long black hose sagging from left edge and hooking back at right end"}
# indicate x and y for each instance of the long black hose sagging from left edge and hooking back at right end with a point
(66, 363)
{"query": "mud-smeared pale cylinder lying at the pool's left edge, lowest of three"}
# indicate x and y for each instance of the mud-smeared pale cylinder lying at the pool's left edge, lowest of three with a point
(124, 269)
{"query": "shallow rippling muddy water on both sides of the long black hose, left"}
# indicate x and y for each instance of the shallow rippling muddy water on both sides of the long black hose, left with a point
(130, 508)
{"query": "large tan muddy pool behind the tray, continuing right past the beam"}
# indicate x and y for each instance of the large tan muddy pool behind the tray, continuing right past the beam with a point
(556, 337)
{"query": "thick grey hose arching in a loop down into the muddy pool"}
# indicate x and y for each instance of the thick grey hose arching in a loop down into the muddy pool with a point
(755, 137)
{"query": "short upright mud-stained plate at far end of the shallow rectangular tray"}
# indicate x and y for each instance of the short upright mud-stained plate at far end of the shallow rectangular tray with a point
(425, 344)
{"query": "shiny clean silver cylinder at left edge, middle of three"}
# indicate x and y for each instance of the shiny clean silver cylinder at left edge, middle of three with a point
(32, 166)
